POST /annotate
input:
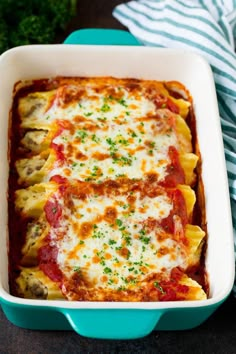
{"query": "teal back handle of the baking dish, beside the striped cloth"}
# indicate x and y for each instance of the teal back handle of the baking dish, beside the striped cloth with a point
(102, 36)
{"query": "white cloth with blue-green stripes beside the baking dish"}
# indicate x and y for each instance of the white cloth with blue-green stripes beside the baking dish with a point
(207, 27)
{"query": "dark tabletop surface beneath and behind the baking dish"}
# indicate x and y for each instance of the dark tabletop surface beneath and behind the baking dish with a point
(216, 335)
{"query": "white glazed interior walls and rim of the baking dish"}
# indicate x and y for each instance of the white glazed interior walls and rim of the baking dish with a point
(32, 62)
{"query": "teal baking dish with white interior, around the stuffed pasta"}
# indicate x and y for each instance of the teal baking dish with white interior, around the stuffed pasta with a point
(125, 320)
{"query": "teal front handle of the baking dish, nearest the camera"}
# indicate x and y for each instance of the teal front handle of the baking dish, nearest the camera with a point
(112, 323)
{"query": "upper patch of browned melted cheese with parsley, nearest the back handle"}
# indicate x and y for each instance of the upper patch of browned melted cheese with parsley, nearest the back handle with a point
(111, 136)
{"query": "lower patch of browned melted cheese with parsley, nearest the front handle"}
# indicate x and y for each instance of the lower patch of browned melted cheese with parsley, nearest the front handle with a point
(110, 251)
